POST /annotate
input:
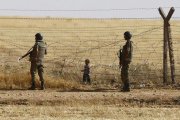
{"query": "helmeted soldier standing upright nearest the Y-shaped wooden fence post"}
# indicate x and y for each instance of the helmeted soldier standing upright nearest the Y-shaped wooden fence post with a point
(125, 60)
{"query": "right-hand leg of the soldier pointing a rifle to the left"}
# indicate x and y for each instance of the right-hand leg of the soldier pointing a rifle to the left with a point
(40, 73)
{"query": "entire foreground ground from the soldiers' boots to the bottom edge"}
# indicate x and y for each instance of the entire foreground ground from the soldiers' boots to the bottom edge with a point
(140, 104)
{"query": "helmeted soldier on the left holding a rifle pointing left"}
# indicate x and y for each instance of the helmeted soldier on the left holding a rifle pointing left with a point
(37, 53)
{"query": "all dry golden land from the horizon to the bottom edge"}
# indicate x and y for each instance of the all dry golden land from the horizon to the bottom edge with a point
(70, 42)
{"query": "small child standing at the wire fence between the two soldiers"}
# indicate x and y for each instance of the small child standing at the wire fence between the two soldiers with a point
(86, 71)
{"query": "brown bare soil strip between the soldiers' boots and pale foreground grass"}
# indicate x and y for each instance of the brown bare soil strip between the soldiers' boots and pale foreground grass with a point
(135, 98)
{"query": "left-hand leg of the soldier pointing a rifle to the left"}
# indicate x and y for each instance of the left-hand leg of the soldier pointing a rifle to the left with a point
(33, 73)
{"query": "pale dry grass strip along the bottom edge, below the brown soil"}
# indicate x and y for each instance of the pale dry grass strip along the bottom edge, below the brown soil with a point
(92, 113)
